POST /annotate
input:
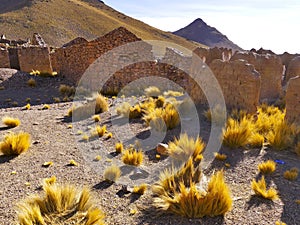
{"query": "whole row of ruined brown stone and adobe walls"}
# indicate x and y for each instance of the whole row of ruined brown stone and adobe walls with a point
(246, 78)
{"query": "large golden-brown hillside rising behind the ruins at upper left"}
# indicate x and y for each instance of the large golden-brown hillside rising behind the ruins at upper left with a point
(59, 21)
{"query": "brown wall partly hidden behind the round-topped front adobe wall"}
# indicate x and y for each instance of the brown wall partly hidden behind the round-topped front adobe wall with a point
(271, 70)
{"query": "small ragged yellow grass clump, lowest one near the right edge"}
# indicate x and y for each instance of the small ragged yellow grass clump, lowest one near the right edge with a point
(260, 189)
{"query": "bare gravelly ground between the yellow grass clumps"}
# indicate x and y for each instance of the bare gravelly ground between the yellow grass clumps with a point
(52, 140)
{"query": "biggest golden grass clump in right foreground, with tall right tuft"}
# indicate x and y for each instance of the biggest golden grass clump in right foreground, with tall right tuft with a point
(194, 203)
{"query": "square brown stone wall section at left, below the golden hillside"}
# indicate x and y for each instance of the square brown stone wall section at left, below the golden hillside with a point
(35, 58)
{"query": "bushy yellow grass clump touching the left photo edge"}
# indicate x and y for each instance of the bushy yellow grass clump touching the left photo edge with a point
(15, 144)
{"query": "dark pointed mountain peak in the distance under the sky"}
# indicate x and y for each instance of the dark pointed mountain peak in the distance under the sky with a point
(200, 32)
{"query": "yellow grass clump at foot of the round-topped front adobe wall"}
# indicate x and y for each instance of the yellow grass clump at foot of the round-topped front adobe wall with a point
(237, 133)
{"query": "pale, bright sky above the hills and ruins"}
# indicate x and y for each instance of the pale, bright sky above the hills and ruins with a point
(271, 24)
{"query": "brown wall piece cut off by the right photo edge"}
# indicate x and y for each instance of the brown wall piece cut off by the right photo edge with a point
(293, 100)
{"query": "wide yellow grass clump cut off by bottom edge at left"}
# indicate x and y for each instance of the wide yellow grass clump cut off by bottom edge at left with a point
(60, 204)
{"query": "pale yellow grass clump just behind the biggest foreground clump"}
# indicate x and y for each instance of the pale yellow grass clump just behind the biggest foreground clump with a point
(184, 147)
